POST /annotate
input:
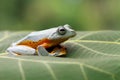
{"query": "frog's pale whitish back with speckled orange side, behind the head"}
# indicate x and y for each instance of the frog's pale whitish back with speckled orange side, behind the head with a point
(35, 38)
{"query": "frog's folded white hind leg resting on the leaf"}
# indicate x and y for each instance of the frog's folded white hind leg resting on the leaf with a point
(20, 50)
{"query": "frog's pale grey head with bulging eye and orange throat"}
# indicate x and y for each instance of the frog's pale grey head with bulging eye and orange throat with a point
(62, 33)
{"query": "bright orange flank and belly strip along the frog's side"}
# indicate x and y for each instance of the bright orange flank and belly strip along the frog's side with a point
(46, 43)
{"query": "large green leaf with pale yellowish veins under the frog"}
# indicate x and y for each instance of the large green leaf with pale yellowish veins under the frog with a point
(91, 56)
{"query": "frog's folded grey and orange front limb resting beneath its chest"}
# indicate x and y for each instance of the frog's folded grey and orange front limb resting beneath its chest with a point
(57, 51)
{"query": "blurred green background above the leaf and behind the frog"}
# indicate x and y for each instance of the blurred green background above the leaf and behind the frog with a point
(42, 14)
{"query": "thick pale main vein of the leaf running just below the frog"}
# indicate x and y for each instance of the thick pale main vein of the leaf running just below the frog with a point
(59, 62)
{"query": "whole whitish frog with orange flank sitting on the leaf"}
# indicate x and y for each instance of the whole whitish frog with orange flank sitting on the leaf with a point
(39, 42)
